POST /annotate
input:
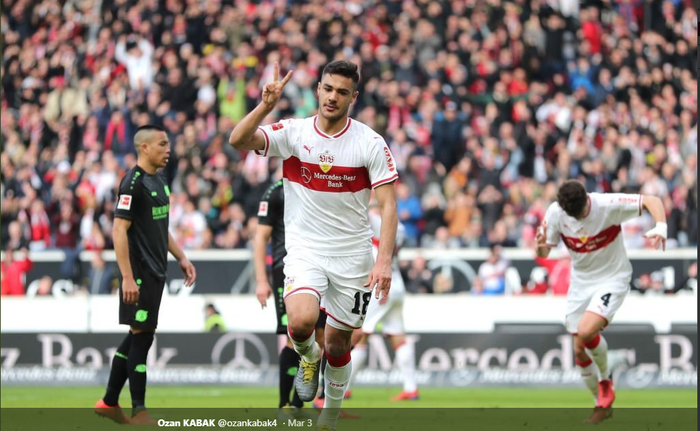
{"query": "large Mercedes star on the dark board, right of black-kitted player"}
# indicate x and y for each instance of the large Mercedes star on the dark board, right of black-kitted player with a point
(237, 352)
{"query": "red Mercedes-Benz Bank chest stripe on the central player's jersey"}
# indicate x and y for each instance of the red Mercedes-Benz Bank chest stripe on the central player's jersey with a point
(339, 179)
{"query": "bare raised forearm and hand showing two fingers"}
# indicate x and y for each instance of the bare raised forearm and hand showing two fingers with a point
(245, 136)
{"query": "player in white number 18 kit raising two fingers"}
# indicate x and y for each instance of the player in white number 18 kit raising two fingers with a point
(331, 164)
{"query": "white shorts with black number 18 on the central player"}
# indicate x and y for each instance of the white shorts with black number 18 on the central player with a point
(337, 282)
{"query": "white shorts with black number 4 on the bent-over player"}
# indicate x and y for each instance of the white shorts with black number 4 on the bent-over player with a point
(603, 300)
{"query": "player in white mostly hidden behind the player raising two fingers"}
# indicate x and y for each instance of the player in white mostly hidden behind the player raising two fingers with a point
(387, 317)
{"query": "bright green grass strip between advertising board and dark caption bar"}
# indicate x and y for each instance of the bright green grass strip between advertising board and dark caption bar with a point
(222, 397)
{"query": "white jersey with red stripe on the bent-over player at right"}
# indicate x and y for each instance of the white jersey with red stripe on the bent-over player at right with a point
(595, 243)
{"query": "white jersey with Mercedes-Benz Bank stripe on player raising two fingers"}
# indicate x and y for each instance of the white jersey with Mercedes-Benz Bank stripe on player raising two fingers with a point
(328, 182)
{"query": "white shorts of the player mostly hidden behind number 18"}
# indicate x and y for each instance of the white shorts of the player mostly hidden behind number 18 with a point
(387, 318)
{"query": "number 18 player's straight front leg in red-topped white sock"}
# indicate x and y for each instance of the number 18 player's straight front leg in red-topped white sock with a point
(337, 375)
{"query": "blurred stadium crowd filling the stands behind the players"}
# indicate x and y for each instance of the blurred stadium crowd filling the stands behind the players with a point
(486, 106)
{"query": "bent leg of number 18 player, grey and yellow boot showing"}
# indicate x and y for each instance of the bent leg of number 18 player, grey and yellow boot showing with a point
(302, 311)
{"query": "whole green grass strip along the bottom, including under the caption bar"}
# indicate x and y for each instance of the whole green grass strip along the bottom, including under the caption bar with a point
(435, 411)
